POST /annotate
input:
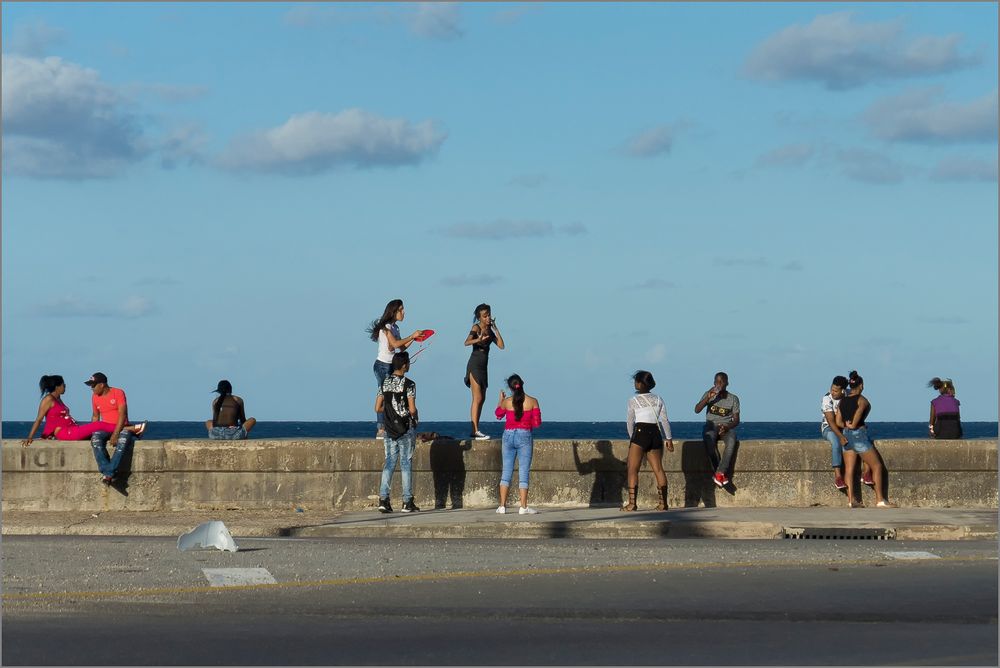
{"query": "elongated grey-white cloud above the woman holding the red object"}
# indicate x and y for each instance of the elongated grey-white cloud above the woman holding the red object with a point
(315, 142)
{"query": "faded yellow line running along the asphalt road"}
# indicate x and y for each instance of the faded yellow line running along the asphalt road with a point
(463, 575)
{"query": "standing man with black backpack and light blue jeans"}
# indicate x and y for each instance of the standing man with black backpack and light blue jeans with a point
(397, 402)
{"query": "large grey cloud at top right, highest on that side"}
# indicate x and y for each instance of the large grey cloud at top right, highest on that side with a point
(840, 53)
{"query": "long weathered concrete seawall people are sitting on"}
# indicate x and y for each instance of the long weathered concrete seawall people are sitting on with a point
(344, 474)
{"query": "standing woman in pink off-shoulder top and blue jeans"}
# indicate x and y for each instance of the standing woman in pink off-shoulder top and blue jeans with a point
(523, 415)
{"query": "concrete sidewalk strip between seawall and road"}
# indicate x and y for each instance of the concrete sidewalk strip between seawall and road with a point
(550, 522)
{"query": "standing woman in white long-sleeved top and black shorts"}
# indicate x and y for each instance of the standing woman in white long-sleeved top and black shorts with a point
(647, 415)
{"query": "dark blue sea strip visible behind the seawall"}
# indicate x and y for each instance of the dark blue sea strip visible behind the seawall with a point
(587, 431)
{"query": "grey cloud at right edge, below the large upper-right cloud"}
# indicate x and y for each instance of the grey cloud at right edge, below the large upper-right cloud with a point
(920, 116)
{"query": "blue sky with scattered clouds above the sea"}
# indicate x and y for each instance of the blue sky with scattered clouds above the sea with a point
(784, 192)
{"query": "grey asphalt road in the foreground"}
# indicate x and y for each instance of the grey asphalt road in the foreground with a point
(136, 601)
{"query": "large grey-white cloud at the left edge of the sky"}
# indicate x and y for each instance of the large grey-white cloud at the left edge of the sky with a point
(62, 121)
